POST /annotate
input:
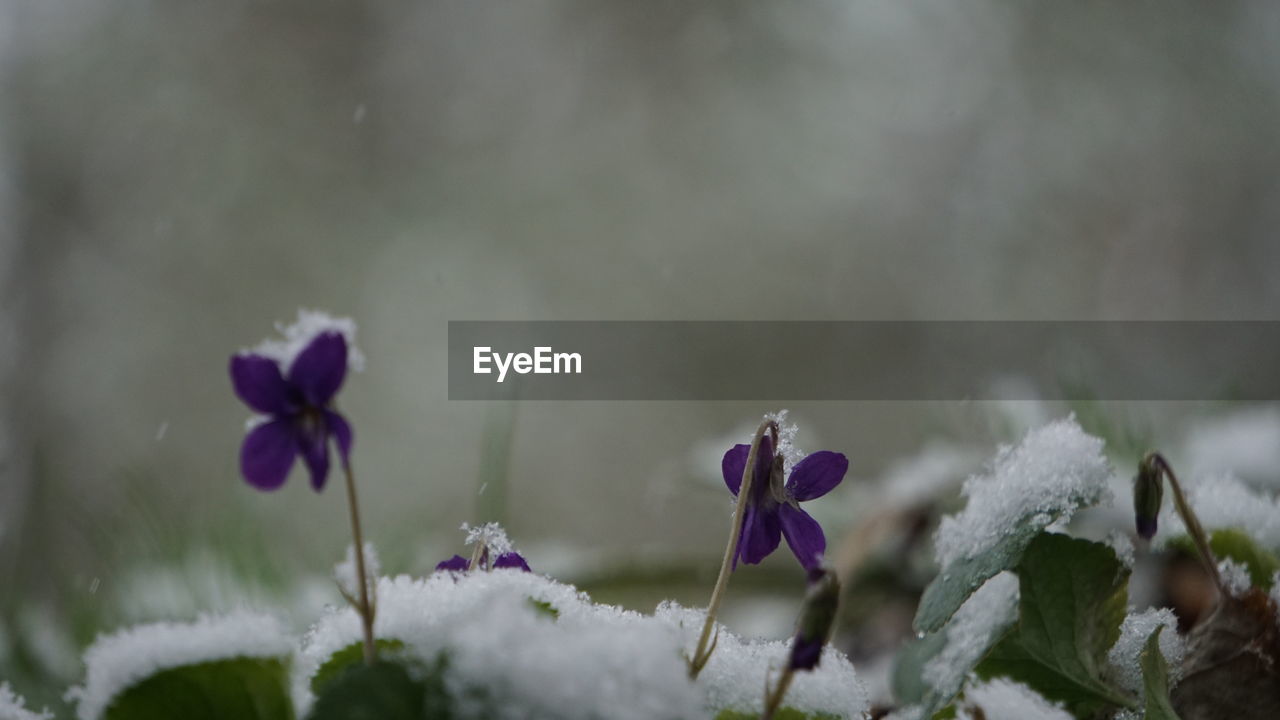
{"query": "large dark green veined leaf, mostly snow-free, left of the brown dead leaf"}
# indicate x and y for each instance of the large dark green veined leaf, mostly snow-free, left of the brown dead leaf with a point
(1072, 601)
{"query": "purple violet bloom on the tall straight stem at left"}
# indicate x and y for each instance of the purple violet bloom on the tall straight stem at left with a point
(296, 400)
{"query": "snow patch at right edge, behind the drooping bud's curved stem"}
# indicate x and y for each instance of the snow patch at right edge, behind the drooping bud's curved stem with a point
(1224, 502)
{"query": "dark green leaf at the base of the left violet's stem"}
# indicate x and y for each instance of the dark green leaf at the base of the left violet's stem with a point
(383, 691)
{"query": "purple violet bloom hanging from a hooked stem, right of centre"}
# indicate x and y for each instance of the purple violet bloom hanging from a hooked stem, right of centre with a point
(774, 509)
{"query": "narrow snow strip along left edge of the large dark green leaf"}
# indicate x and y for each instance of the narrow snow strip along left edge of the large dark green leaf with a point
(988, 612)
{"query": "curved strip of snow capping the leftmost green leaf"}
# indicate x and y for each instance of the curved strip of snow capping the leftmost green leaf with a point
(118, 662)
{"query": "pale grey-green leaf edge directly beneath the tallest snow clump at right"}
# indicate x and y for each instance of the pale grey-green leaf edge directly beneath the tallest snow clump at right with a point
(954, 586)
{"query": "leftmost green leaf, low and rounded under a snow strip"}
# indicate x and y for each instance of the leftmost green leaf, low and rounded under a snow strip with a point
(246, 689)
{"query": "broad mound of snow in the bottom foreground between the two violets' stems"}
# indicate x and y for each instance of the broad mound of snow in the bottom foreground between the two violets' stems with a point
(589, 662)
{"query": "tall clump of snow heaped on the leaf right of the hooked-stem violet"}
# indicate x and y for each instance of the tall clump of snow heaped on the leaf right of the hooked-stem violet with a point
(1045, 480)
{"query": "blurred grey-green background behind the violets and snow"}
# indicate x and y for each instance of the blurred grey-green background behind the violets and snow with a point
(176, 177)
